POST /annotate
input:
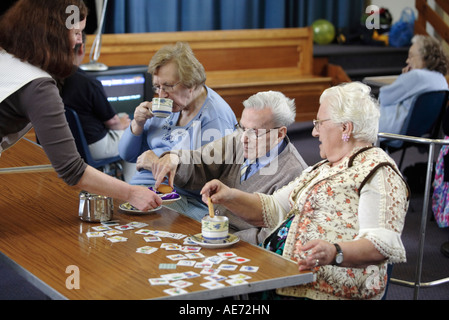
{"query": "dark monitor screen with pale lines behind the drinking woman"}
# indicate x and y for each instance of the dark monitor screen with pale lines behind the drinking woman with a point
(126, 87)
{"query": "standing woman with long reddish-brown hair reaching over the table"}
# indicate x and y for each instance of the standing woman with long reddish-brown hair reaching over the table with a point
(37, 38)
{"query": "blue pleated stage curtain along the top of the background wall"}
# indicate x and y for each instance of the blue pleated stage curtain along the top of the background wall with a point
(135, 16)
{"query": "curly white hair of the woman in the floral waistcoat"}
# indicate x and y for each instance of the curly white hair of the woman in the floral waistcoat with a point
(353, 102)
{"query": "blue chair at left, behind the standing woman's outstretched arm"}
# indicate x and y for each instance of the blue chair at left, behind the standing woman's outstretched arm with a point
(82, 146)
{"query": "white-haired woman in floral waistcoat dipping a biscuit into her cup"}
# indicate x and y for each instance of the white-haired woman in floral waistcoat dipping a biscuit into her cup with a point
(341, 218)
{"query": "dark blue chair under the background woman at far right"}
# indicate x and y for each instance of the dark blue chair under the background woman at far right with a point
(424, 120)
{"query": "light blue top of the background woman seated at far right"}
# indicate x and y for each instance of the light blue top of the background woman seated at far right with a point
(396, 99)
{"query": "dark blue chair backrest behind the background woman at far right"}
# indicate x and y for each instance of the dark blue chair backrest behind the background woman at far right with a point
(426, 114)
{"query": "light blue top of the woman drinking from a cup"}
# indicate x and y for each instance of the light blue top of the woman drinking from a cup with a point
(215, 120)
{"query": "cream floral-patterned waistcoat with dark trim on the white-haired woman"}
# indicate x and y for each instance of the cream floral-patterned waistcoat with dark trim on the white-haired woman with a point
(328, 211)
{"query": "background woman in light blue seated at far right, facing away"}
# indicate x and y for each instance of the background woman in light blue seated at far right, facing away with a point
(427, 66)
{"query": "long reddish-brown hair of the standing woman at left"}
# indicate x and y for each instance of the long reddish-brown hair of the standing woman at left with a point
(35, 31)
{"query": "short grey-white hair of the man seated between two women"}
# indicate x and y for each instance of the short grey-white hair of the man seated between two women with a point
(283, 108)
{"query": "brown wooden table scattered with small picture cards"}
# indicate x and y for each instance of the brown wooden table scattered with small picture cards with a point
(42, 236)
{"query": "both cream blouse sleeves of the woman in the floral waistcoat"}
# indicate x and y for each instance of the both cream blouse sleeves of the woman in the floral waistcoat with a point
(381, 212)
